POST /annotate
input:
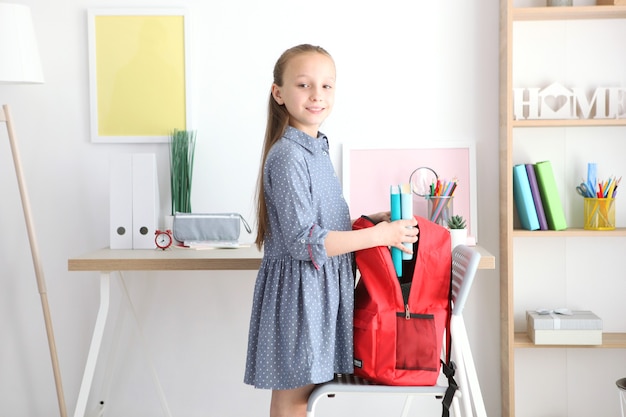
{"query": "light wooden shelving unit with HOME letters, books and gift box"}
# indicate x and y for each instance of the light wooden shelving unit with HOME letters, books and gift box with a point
(514, 338)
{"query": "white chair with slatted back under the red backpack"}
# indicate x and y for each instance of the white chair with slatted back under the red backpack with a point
(464, 265)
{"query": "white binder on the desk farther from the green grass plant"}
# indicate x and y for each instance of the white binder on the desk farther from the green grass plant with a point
(120, 202)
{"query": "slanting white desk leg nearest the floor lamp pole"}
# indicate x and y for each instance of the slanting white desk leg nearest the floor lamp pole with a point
(96, 342)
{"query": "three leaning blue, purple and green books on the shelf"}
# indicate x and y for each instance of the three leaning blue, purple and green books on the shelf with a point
(537, 198)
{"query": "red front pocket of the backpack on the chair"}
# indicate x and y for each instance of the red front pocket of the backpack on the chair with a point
(416, 342)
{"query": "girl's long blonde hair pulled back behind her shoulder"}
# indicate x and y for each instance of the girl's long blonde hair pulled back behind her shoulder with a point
(277, 121)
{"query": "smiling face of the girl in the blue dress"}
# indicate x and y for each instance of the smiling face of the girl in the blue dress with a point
(308, 91)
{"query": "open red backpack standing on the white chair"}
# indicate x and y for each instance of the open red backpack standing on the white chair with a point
(399, 322)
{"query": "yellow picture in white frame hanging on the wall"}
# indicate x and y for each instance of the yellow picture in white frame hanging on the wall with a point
(138, 74)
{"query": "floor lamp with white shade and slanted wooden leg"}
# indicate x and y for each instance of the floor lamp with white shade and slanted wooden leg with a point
(19, 64)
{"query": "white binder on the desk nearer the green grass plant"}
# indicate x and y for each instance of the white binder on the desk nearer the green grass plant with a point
(145, 200)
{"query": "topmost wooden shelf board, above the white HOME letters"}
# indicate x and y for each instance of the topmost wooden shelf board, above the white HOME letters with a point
(568, 13)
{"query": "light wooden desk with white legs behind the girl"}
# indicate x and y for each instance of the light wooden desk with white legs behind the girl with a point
(107, 261)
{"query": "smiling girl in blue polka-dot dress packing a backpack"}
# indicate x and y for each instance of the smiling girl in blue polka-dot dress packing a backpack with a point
(301, 324)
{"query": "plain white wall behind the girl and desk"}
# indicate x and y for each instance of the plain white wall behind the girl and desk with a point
(408, 72)
